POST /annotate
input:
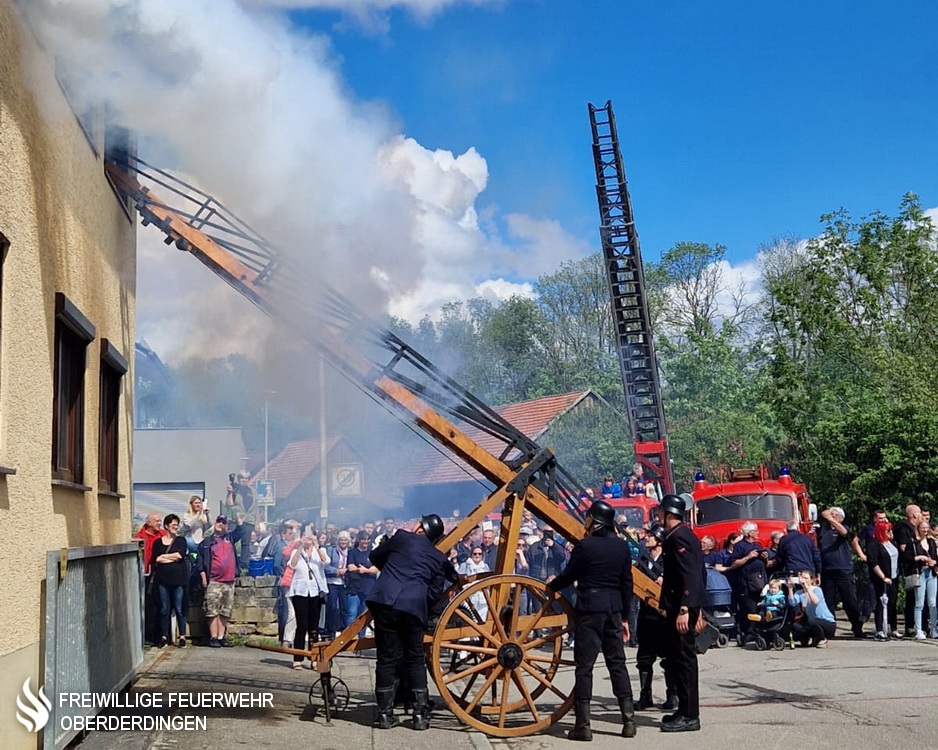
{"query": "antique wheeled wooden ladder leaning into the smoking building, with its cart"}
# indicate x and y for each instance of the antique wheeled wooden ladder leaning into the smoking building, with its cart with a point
(496, 672)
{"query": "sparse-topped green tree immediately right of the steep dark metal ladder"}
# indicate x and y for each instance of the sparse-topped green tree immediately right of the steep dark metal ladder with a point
(712, 387)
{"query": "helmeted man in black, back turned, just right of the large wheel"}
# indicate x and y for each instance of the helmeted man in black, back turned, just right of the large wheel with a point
(602, 567)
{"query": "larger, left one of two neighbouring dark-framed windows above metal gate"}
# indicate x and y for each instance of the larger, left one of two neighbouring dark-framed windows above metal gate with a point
(73, 332)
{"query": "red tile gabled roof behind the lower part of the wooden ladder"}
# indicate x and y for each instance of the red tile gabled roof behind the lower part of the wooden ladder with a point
(530, 417)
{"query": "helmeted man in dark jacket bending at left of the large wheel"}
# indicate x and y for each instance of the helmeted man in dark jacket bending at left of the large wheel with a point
(412, 572)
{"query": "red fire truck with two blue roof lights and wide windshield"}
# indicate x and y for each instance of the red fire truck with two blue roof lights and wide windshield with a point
(744, 495)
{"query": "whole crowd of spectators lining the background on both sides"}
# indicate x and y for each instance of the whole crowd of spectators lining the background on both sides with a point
(324, 573)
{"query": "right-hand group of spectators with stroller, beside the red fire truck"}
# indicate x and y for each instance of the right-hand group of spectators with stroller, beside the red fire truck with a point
(863, 572)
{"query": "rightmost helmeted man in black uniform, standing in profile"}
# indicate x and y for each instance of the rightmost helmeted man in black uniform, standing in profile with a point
(682, 596)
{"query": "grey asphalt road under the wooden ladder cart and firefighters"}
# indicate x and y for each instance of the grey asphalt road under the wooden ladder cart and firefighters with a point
(850, 695)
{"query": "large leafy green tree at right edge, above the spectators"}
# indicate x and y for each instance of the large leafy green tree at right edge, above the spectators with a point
(853, 323)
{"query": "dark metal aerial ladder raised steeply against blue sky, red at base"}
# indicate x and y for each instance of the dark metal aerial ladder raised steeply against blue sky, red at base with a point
(635, 347)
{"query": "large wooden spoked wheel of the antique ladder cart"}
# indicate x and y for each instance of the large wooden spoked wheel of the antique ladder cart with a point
(491, 662)
